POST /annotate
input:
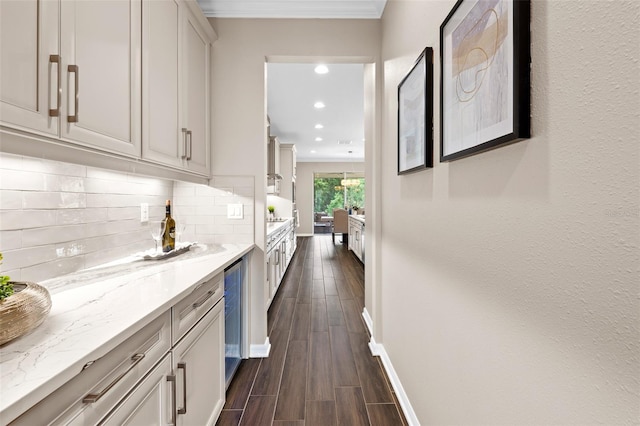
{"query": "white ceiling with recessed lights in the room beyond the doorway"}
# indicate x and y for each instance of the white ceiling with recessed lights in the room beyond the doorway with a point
(292, 90)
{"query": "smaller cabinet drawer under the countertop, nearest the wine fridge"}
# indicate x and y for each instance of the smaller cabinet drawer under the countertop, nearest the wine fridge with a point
(189, 310)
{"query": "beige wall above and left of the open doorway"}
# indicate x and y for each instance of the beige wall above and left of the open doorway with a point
(239, 104)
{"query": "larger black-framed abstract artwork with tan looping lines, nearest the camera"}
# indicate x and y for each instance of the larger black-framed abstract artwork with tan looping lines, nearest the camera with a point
(485, 82)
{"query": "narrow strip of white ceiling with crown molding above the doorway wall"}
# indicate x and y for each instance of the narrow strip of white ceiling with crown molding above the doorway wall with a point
(353, 9)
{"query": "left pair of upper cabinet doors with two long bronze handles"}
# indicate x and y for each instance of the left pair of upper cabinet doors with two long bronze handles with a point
(87, 91)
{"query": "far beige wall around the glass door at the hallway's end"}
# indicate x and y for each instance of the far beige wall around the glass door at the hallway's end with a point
(304, 185)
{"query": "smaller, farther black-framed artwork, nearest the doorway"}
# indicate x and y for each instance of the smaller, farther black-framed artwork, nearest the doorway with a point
(415, 116)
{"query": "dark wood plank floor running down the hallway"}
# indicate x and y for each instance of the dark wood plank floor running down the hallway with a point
(320, 370)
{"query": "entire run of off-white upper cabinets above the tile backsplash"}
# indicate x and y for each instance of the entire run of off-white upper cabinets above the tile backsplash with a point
(130, 77)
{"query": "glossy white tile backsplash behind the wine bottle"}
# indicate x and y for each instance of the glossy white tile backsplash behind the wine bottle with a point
(57, 218)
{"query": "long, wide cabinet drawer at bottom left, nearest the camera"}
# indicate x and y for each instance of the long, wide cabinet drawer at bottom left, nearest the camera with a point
(90, 395)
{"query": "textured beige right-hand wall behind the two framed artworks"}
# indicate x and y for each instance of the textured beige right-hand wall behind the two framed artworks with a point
(510, 279)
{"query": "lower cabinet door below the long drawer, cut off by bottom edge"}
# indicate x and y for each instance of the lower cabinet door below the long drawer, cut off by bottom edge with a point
(150, 401)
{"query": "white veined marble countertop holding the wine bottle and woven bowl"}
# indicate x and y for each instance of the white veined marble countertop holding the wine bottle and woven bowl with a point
(92, 312)
